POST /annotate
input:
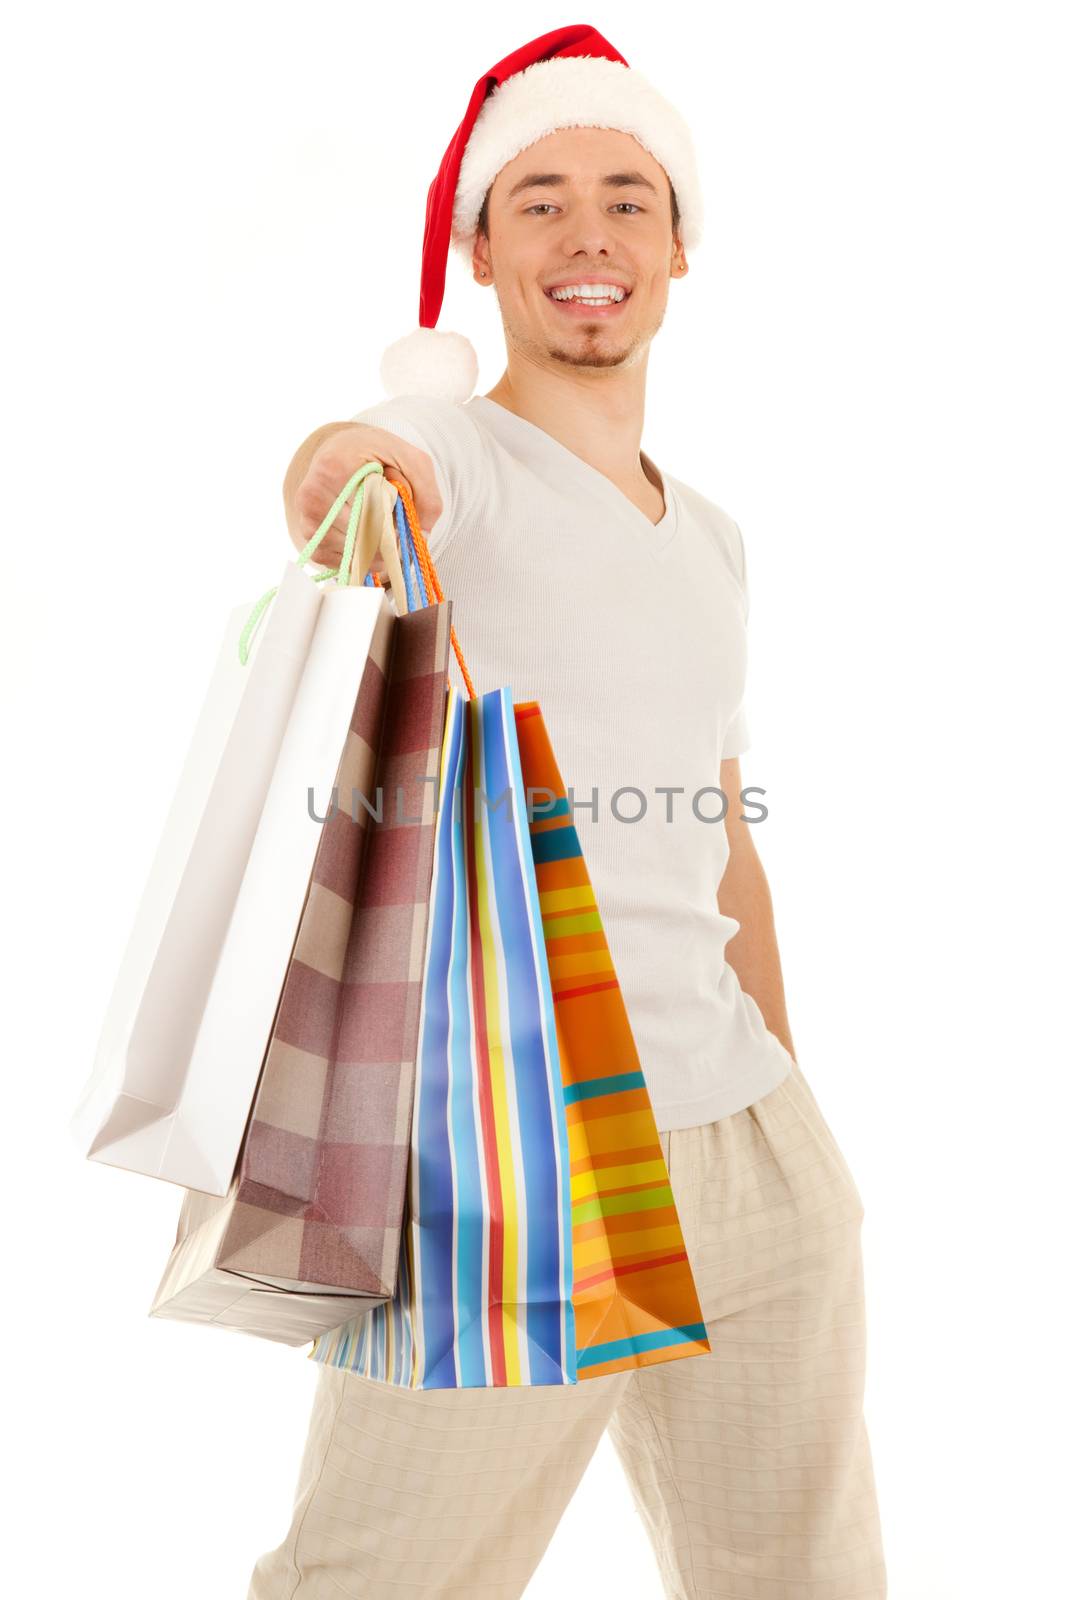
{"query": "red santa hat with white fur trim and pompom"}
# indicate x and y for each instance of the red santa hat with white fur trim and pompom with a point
(567, 79)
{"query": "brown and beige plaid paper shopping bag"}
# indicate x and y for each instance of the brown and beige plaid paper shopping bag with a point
(310, 1233)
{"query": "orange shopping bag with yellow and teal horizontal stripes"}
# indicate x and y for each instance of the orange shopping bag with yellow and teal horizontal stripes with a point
(633, 1292)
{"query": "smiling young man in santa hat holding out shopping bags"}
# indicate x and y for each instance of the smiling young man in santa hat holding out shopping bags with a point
(612, 593)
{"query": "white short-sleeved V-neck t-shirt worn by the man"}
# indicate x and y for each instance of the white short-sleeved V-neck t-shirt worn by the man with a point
(633, 639)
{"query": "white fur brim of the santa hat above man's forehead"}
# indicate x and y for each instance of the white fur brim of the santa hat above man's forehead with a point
(575, 92)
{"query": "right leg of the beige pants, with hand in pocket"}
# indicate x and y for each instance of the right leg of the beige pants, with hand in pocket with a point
(751, 1465)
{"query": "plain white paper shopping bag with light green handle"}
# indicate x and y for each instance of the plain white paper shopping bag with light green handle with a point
(190, 1018)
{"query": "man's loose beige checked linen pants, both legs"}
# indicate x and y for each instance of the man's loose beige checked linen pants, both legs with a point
(749, 1466)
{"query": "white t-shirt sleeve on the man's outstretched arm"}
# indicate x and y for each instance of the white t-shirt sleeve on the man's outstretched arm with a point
(454, 442)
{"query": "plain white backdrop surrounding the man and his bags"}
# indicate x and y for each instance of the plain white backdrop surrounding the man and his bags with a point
(217, 217)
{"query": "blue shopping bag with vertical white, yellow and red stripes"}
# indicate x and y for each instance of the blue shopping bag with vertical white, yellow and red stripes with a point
(486, 1286)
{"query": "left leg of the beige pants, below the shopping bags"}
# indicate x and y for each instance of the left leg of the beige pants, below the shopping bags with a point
(433, 1494)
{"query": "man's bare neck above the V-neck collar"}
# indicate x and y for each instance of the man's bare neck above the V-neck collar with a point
(599, 422)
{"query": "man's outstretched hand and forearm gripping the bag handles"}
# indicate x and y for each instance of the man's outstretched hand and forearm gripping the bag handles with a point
(326, 463)
